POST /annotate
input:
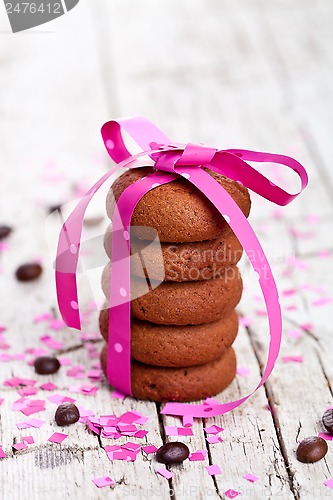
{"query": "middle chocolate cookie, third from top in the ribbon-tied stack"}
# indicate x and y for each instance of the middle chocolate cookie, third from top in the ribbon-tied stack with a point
(188, 303)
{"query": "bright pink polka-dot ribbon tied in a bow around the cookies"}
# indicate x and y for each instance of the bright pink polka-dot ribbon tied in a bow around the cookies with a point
(171, 161)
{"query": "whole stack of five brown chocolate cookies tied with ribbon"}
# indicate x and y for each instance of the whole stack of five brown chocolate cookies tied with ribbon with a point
(183, 321)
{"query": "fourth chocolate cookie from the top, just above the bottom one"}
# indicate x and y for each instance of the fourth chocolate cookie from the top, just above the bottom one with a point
(174, 346)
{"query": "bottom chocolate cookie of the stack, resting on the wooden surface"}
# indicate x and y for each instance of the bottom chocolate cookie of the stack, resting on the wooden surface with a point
(180, 384)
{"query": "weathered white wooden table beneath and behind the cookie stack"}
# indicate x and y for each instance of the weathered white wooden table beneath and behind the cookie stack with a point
(250, 74)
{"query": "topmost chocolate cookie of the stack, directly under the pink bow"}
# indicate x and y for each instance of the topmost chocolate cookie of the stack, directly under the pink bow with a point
(177, 210)
